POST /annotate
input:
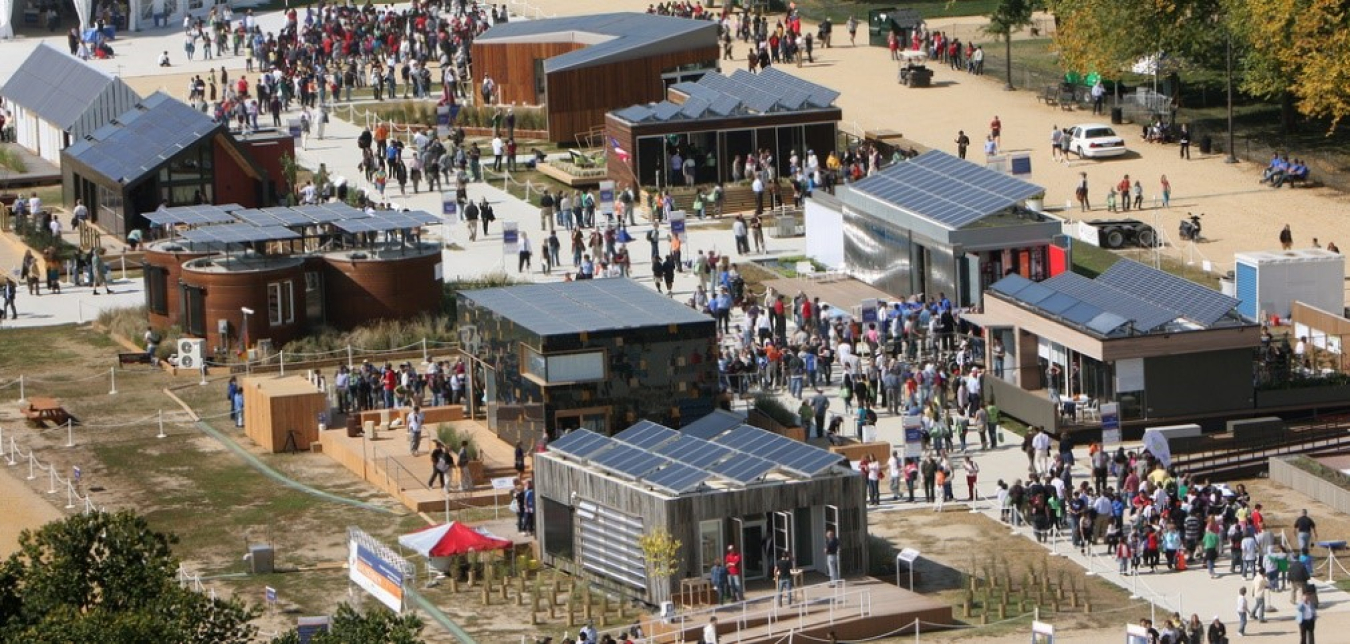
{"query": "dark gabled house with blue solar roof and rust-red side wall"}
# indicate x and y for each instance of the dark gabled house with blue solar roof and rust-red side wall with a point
(164, 152)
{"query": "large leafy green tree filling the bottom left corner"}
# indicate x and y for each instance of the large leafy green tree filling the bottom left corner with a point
(107, 577)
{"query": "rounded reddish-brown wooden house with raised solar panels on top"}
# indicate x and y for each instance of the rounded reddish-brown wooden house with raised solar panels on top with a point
(240, 277)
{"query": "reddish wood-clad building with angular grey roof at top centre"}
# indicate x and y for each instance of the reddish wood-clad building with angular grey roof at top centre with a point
(581, 68)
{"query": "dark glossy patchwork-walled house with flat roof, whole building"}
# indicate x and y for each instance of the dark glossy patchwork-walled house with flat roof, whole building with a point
(595, 354)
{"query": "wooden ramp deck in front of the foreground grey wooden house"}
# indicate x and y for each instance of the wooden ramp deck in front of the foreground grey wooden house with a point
(855, 610)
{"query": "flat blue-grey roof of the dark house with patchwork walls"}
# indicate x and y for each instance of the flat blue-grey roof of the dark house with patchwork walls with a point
(585, 307)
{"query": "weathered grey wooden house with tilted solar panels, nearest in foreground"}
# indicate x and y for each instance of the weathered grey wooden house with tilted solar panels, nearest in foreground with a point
(709, 487)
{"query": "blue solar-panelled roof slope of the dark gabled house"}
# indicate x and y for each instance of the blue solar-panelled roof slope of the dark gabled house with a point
(141, 140)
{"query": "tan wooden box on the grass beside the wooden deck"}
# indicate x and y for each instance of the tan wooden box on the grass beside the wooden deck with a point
(275, 407)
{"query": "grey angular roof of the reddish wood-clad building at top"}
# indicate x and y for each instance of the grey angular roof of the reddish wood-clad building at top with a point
(608, 37)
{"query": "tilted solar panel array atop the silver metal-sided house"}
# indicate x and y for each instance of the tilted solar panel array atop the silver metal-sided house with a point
(946, 190)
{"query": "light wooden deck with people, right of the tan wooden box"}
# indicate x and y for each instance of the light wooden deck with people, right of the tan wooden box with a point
(384, 461)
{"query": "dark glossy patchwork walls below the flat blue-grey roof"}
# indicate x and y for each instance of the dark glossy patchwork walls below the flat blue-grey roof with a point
(546, 385)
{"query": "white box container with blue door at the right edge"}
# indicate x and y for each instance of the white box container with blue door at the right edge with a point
(1268, 283)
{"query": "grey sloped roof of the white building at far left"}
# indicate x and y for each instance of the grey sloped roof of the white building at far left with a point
(61, 88)
